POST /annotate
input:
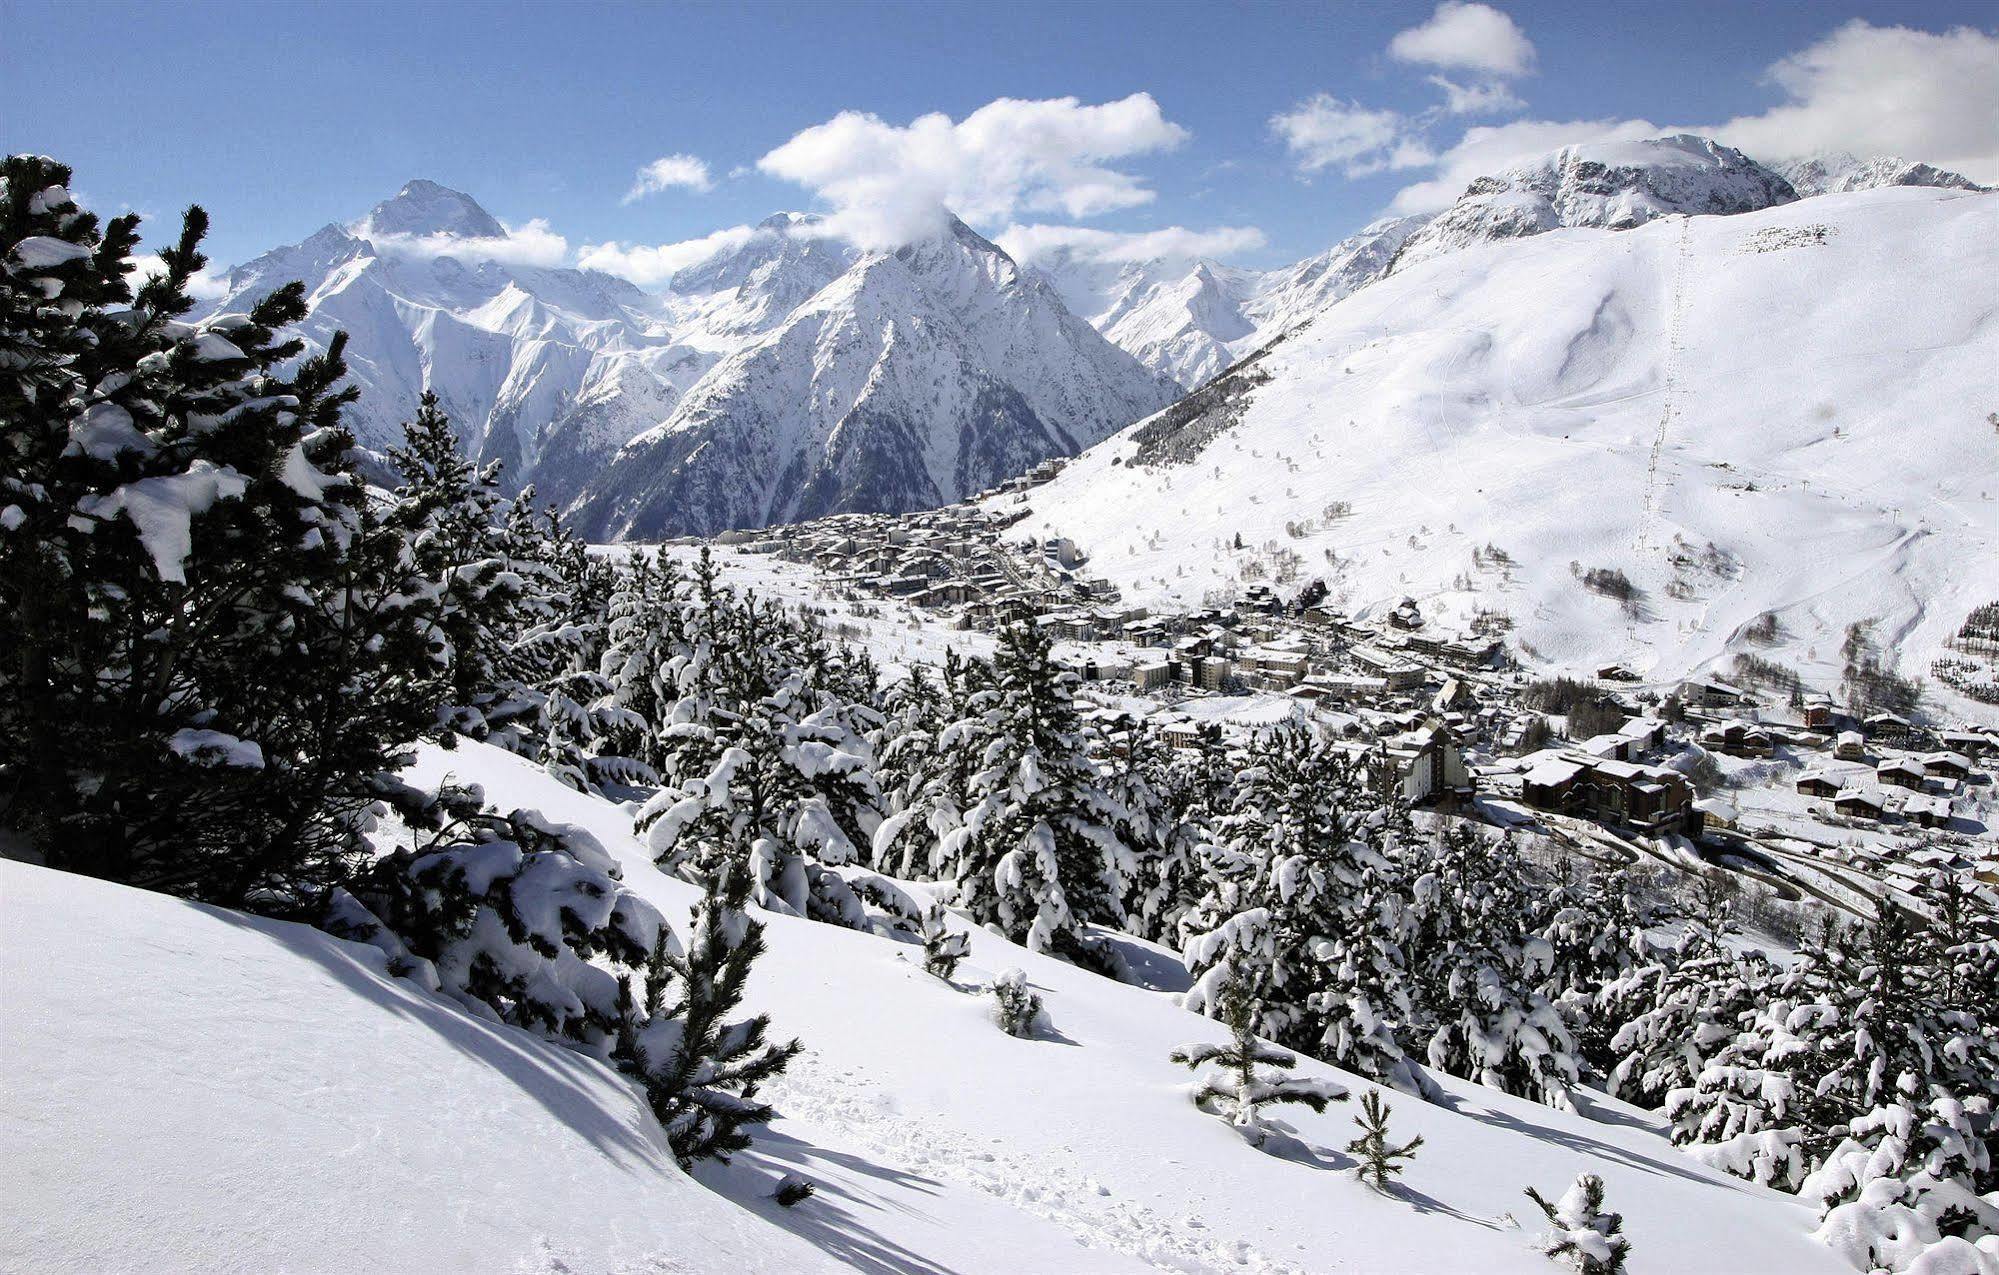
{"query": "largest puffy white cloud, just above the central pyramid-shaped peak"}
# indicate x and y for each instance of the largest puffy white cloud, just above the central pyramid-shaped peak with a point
(891, 185)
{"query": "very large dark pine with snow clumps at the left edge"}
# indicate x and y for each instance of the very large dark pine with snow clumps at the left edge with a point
(213, 642)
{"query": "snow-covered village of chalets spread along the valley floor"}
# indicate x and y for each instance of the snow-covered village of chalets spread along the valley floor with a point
(1794, 792)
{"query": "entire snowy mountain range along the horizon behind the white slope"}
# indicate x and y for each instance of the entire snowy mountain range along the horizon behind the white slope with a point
(791, 375)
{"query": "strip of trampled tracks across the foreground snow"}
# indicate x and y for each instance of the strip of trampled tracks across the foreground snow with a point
(1048, 1186)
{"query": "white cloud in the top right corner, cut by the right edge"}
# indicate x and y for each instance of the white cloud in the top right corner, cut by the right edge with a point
(1874, 91)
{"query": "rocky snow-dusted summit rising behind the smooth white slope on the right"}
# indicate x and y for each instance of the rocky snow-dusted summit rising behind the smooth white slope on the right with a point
(1606, 185)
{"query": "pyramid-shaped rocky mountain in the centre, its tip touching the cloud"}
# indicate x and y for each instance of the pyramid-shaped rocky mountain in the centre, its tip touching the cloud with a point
(913, 381)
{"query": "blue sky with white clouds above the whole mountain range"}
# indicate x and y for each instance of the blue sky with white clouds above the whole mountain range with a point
(1288, 125)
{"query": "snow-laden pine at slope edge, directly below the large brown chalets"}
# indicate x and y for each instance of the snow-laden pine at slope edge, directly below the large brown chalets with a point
(1478, 974)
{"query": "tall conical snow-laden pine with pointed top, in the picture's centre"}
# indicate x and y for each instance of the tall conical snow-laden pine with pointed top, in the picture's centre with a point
(1036, 854)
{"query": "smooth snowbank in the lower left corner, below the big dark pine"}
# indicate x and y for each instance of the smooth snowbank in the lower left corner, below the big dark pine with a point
(193, 1090)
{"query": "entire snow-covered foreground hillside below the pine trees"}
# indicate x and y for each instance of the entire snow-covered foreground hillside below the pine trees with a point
(247, 1096)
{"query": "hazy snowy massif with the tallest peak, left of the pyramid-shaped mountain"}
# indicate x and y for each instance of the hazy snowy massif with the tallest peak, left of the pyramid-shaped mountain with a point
(543, 369)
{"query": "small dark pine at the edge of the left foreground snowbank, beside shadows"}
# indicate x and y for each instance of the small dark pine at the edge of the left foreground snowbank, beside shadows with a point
(701, 1070)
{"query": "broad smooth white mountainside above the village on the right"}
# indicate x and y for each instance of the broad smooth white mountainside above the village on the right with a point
(1780, 411)
